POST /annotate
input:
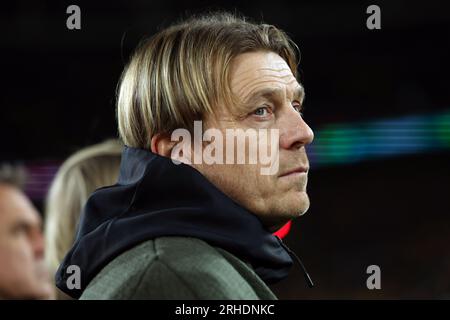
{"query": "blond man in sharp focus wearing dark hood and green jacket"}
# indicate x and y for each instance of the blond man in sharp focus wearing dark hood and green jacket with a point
(193, 211)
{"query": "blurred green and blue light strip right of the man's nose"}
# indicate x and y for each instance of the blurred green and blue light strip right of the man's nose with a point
(354, 142)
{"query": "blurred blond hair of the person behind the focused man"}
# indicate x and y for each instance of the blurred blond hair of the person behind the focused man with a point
(79, 176)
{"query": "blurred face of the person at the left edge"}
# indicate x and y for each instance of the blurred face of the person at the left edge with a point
(23, 274)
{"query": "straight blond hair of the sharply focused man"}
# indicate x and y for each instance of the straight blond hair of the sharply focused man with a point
(181, 74)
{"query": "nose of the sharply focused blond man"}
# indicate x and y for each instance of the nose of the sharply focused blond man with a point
(294, 132)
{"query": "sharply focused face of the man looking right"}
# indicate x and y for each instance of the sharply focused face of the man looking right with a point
(269, 98)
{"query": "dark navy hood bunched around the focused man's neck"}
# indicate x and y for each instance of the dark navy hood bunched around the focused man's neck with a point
(157, 199)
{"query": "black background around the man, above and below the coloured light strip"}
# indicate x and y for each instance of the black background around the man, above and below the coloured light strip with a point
(58, 95)
